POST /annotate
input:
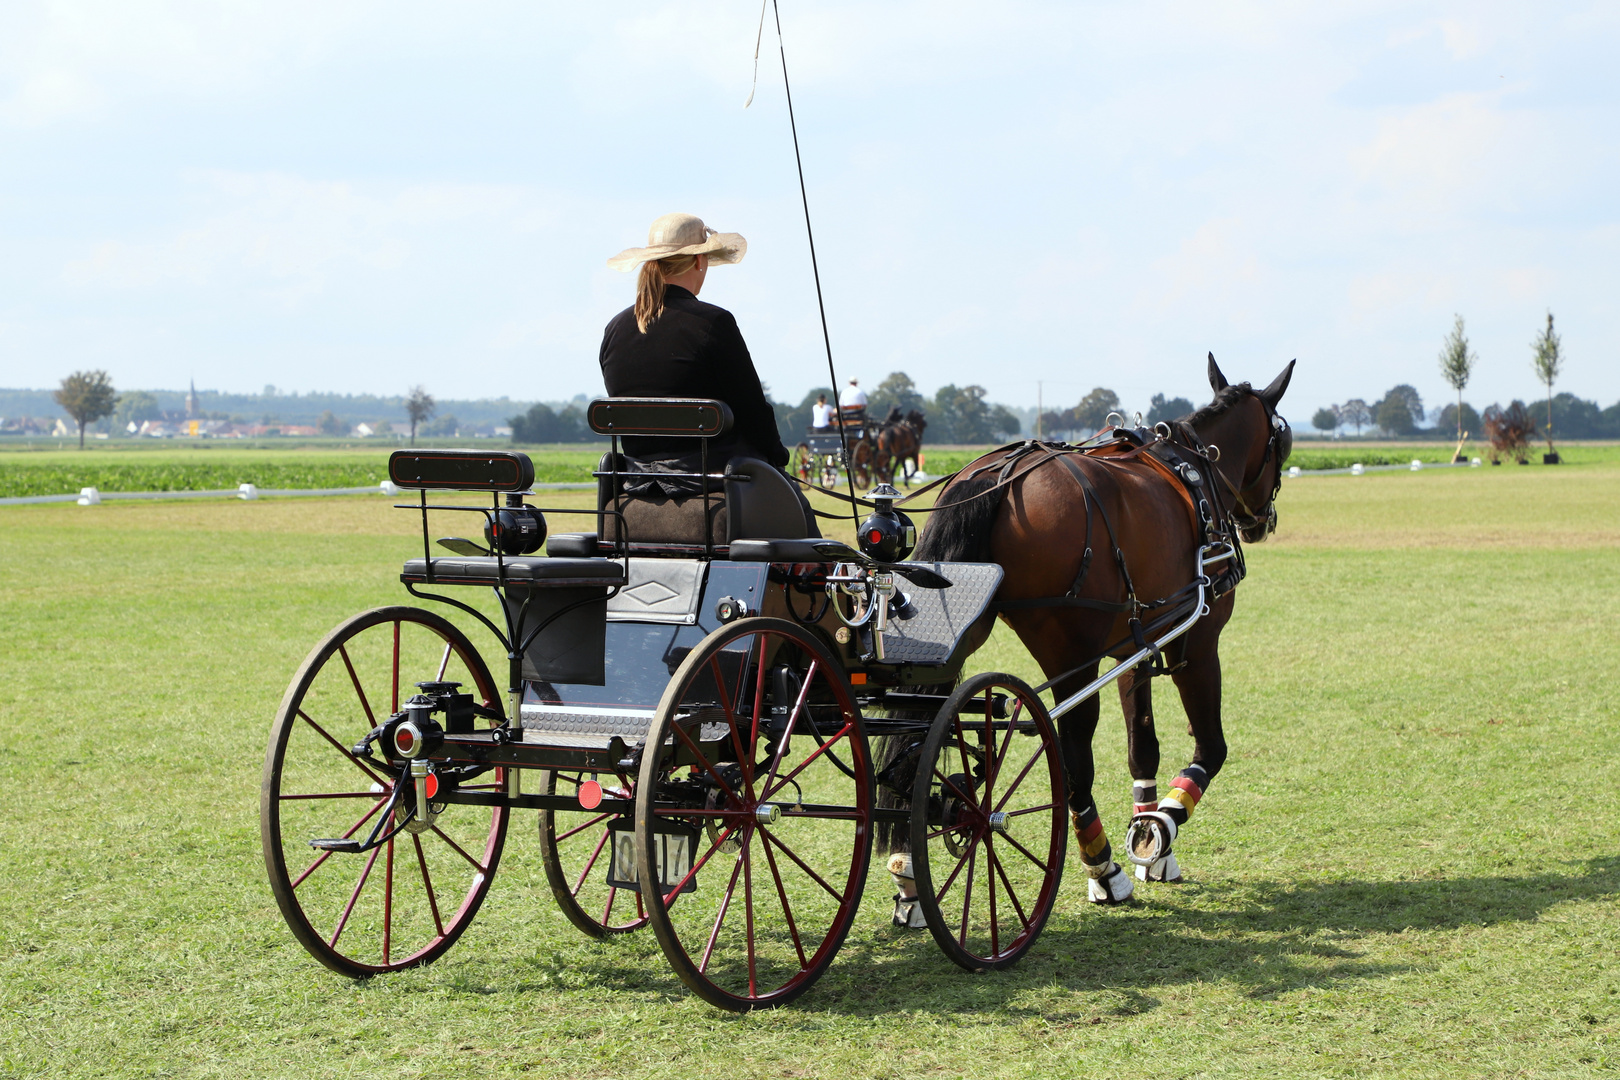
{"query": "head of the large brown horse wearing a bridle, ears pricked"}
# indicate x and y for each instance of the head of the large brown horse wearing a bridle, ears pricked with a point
(1255, 443)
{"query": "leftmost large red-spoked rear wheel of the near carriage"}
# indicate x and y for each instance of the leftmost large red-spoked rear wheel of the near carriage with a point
(407, 901)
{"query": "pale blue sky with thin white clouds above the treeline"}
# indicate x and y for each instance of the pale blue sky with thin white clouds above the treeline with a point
(1036, 198)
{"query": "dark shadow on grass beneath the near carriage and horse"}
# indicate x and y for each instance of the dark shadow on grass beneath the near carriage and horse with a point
(1266, 938)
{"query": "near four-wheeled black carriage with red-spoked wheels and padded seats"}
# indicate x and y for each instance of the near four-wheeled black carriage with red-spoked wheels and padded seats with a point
(689, 704)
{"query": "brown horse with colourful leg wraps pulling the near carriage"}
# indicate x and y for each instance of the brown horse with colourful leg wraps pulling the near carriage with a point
(1039, 524)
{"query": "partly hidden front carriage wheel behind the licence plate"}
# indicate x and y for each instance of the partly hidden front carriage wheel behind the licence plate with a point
(578, 846)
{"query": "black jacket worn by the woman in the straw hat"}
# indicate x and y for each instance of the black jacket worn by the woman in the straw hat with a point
(691, 351)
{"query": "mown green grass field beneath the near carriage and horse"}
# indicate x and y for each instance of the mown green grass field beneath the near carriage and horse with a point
(1409, 869)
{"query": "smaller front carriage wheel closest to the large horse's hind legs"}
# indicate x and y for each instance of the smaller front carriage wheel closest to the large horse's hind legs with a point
(989, 823)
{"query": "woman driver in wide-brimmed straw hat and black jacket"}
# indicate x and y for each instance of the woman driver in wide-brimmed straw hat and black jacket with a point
(671, 344)
